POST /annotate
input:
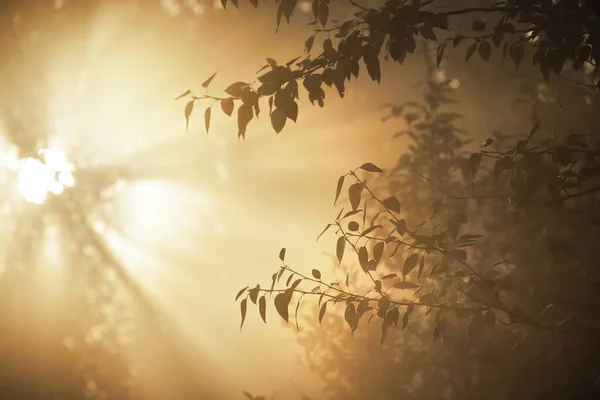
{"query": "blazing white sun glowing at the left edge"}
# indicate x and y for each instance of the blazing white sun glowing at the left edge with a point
(50, 174)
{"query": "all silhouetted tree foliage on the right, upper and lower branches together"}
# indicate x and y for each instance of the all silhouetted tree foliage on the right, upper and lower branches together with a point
(489, 248)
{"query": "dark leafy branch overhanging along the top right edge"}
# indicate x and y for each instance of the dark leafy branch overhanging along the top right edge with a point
(552, 33)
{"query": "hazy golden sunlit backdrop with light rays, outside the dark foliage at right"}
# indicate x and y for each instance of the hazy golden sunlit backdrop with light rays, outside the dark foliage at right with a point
(124, 240)
